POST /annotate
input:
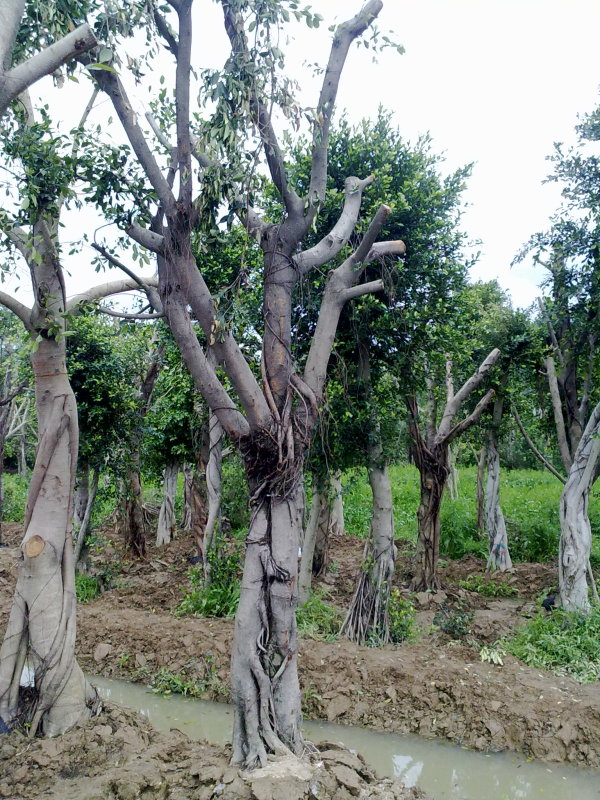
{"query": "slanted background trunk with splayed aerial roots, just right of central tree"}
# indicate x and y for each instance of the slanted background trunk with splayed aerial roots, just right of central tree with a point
(368, 617)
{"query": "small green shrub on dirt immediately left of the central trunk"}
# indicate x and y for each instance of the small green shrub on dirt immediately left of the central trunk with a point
(221, 597)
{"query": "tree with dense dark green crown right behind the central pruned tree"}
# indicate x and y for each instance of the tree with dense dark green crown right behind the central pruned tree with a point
(381, 337)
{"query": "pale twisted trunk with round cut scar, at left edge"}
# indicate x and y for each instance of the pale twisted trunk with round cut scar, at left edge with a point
(41, 625)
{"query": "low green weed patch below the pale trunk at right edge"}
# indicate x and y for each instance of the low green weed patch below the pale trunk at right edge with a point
(562, 642)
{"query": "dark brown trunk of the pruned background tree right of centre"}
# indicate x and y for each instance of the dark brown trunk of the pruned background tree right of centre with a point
(433, 474)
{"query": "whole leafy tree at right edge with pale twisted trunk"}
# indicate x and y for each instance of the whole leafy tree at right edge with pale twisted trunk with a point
(570, 251)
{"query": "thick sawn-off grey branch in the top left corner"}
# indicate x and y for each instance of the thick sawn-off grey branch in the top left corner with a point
(43, 63)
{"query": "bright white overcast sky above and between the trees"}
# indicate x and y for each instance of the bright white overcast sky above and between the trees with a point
(494, 82)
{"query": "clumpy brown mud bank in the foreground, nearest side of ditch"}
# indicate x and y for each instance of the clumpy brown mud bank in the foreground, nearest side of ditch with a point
(119, 756)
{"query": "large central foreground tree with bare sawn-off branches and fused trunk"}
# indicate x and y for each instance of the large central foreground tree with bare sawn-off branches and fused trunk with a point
(279, 408)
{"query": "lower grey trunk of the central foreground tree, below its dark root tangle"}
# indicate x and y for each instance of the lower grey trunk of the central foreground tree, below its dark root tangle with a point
(264, 670)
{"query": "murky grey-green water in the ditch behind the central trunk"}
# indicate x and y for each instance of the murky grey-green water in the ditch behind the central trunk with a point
(445, 771)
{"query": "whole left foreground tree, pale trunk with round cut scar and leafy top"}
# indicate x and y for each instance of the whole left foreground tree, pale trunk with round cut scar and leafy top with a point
(41, 625)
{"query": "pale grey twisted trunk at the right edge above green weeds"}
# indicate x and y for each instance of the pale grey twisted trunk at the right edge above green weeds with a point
(576, 534)
